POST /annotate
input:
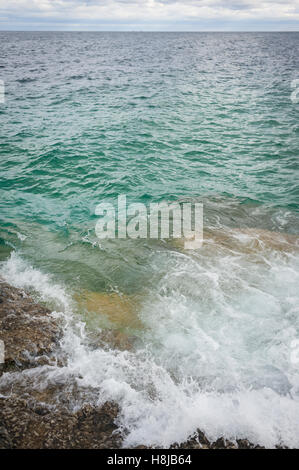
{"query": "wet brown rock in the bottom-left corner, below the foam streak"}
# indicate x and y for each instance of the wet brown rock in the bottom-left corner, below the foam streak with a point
(28, 427)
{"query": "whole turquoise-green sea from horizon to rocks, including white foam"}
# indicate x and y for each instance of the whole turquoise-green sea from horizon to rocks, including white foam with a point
(210, 334)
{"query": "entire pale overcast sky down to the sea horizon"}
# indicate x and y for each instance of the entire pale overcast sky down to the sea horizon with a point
(150, 15)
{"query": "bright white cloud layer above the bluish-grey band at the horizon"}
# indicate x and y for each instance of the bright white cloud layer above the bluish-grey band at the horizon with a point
(147, 11)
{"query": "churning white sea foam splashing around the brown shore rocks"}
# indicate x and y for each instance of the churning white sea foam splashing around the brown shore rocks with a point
(215, 353)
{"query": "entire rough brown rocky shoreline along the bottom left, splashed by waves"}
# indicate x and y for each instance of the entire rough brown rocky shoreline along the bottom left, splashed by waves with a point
(31, 419)
